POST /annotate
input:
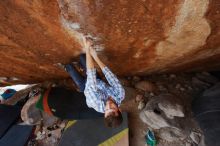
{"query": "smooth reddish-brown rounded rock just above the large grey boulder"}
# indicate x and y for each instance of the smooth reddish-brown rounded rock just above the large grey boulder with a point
(145, 86)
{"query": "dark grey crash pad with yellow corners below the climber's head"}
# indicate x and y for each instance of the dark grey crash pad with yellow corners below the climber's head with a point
(94, 132)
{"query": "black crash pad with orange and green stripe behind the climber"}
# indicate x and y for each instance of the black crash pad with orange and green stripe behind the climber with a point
(66, 104)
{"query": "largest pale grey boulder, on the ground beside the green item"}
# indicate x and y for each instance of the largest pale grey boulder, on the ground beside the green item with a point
(165, 114)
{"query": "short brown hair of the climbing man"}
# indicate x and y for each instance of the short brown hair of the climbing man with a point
(113, 120)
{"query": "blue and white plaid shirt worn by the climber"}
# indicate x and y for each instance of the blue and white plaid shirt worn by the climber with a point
(97, 92)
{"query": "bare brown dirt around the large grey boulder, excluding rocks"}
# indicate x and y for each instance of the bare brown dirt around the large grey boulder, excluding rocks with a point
(183, 86)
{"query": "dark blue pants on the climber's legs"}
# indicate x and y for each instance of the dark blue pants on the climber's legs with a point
(75, 75)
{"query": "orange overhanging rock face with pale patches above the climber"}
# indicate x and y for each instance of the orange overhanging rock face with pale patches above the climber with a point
(132, 37)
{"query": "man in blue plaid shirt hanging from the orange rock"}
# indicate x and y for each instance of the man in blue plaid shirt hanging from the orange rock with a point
(104, 98)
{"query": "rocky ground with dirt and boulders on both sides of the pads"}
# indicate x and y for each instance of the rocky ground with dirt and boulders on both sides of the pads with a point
(161, 103)
